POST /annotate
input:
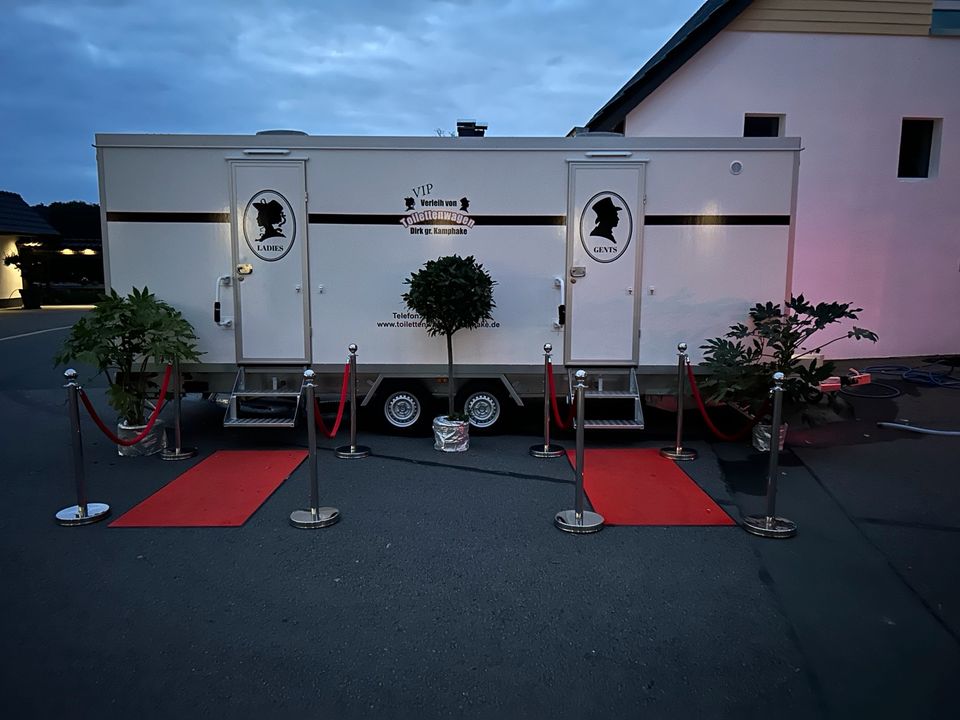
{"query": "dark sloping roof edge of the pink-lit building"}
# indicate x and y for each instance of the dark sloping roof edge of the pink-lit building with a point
(712, 17)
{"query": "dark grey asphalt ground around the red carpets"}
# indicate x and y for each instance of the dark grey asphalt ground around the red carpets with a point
(445, 590)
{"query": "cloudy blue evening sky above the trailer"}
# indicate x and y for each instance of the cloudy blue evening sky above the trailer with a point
(366, 67)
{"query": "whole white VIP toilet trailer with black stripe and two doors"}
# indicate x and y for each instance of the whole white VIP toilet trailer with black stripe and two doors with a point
(610, 249)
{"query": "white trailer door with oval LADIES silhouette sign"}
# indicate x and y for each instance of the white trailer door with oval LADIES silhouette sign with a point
(270, 260)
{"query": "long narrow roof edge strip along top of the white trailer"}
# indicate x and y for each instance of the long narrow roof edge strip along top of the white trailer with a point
(586, 142)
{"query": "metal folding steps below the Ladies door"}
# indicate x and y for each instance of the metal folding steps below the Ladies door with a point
(265, 397)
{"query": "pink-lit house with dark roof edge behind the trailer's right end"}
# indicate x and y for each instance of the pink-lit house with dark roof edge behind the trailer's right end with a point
(871, 89)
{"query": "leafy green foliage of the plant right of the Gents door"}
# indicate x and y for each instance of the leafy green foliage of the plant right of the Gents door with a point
(743, 361)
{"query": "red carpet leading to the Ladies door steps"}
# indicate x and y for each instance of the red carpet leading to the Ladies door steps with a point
(222, 491)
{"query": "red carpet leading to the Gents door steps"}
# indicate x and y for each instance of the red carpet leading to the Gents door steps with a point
(638, 487)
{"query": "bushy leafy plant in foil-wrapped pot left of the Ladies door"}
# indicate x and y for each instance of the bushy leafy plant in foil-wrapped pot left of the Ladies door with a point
(120, 337)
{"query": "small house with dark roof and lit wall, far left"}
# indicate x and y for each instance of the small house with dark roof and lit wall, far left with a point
(24, 235)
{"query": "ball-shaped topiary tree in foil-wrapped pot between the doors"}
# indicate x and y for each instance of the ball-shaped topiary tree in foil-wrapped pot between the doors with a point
(451, 293)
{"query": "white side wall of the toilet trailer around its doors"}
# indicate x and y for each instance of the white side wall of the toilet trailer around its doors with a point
(169, 223)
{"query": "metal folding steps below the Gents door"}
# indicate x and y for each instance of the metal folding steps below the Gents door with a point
(610, 389)
